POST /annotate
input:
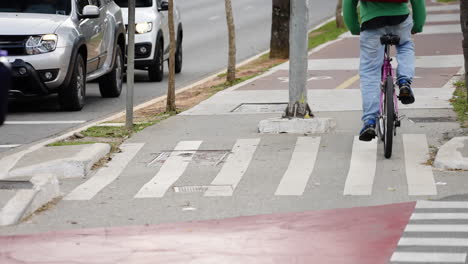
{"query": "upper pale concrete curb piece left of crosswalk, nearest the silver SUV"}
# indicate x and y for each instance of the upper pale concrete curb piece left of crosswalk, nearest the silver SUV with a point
(77, 166)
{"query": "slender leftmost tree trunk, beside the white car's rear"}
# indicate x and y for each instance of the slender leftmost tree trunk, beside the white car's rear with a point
(170, 105)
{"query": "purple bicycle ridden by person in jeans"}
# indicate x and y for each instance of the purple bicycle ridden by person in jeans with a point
(388, 117)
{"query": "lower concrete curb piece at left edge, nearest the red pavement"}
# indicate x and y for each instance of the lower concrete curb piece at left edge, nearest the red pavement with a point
(25, 202)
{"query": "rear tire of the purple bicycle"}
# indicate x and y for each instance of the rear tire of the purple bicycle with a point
(389, 116)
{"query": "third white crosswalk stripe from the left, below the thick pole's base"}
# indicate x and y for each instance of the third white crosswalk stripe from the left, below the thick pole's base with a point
(234, 168)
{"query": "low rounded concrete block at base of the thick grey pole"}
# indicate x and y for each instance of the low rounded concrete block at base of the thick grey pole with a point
(296, 125)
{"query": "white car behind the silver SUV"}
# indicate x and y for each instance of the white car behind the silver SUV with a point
(152, 36)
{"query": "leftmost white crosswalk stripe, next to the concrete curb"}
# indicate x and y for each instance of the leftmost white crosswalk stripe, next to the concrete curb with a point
(105, 175)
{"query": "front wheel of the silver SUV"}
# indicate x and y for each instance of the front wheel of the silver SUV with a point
(72, 97)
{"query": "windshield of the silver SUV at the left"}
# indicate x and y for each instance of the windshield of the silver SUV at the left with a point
(56, 7)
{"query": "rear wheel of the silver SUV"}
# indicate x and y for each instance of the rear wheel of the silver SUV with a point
(110, 85)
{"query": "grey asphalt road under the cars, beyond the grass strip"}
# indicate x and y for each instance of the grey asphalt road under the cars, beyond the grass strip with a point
(205, 51)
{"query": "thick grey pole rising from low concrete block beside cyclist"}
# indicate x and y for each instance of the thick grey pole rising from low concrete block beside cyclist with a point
(298, 63)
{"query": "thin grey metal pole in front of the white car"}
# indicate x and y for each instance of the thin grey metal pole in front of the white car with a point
(130, 64)
